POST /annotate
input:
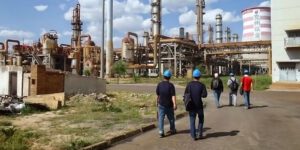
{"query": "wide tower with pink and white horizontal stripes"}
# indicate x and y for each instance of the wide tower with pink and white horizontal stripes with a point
(257, 24)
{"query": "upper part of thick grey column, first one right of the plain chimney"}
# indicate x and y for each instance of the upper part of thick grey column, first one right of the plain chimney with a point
(156, 17)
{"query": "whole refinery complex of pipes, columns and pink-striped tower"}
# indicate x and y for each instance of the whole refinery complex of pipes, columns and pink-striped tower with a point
(223, 53)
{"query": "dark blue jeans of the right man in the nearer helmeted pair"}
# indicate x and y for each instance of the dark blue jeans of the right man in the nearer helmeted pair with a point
(193, 115)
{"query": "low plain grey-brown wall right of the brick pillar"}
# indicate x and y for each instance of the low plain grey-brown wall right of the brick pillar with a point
(75, 84)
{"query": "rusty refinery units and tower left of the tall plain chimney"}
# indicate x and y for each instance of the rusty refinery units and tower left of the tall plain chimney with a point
(80, 57)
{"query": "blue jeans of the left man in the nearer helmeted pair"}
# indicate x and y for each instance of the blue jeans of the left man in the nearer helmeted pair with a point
(162, 111)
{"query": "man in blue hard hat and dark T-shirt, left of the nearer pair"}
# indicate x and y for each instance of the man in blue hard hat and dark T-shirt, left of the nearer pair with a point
(166, 102)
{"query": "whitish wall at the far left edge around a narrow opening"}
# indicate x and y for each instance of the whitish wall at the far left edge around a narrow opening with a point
(4, 79)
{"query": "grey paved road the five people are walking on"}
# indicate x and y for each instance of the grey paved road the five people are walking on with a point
(273, 123)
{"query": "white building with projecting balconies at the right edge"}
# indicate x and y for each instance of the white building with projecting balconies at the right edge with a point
(285, 41)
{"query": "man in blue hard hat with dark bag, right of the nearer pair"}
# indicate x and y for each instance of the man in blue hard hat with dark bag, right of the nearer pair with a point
(197, 91)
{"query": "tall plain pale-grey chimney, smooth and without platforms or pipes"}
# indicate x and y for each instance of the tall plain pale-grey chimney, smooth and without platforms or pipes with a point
(109, 37)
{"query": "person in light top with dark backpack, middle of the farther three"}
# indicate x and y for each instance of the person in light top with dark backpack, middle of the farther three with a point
(233, 85)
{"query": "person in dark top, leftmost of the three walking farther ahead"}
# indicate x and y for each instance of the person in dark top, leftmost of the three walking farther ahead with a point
(217, 87)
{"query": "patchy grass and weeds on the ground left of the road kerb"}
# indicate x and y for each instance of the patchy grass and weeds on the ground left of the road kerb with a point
(85, 120)
